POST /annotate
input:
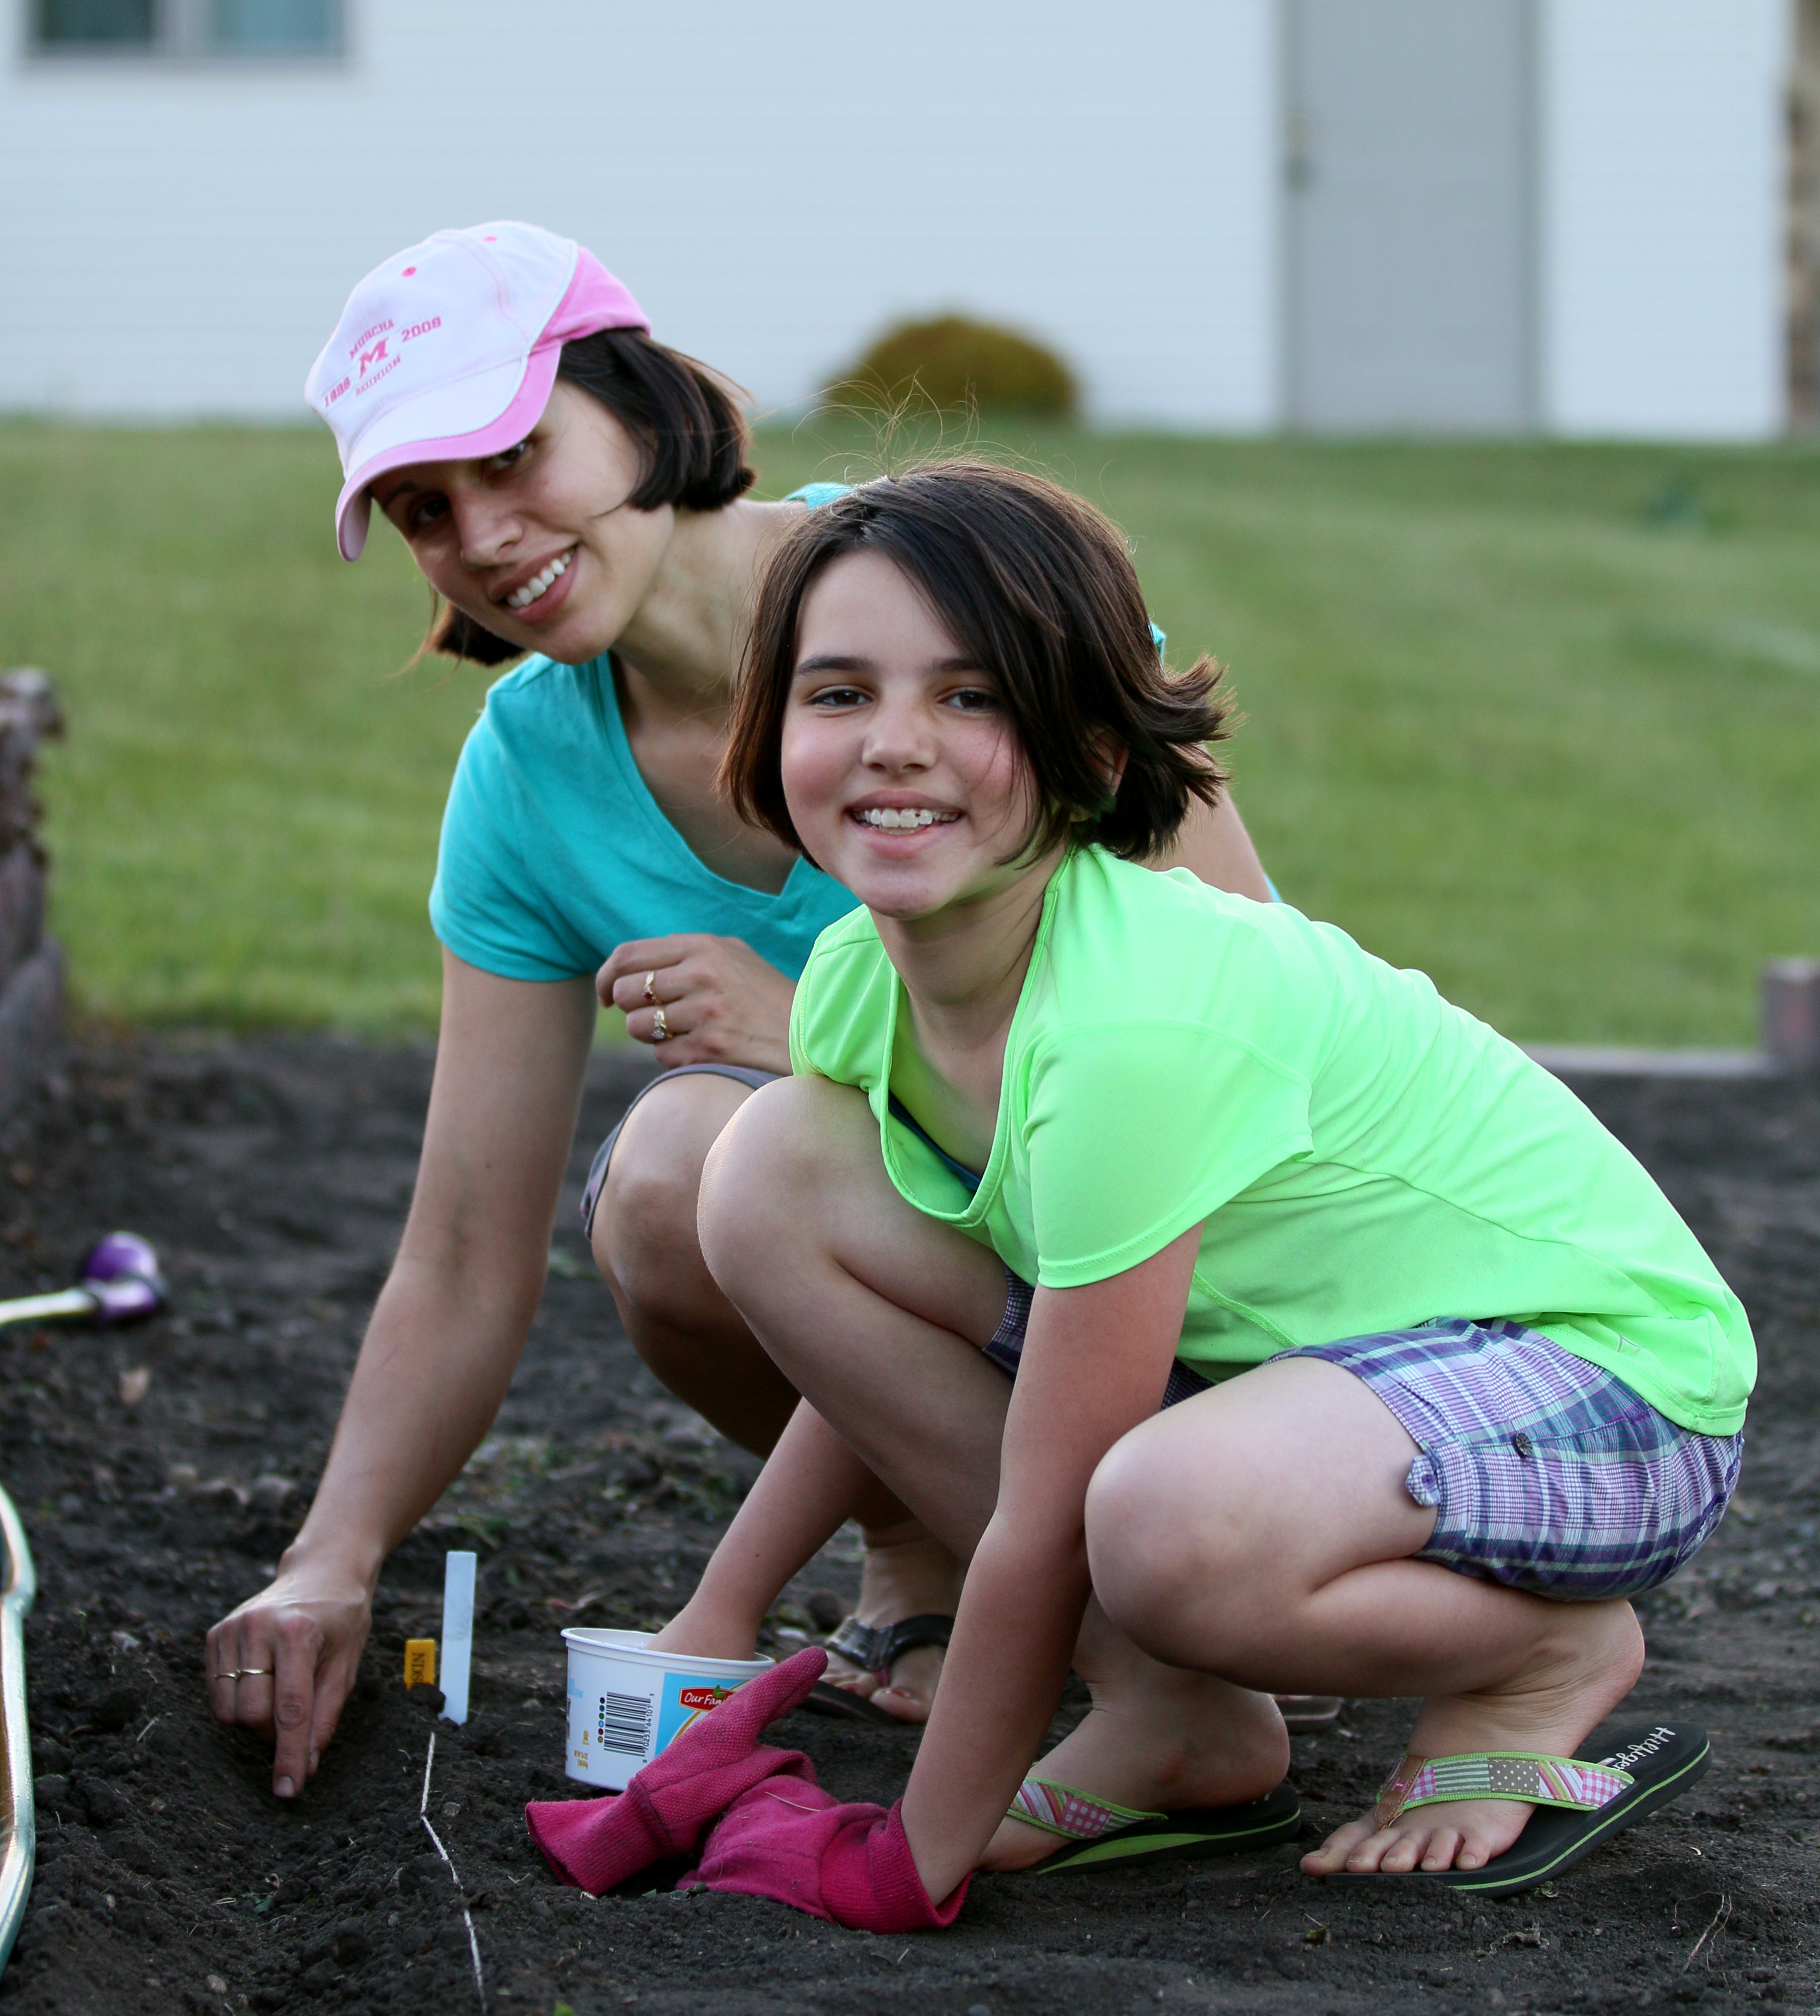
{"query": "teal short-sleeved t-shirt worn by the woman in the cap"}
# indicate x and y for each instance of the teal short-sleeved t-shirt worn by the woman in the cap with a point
(553, 850)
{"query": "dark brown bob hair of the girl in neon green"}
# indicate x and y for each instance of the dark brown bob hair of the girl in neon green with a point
(1039, 590)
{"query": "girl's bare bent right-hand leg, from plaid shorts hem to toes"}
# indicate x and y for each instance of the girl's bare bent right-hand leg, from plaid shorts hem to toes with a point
(1263, 1533)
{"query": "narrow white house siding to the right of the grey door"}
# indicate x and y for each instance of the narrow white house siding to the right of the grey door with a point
(1664, 221)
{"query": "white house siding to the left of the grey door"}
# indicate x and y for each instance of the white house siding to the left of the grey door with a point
(775, 182)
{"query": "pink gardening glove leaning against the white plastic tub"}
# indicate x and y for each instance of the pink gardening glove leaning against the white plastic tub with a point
(598, 1844)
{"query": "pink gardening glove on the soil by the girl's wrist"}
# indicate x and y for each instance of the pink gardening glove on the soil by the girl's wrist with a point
(793, 1842)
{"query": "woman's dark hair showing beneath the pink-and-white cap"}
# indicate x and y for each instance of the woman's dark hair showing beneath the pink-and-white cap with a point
(692, 438)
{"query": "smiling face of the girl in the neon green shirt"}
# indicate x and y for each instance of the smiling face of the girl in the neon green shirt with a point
(900, 767)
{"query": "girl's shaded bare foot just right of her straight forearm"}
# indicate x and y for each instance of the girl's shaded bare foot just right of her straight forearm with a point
(1160, 1741)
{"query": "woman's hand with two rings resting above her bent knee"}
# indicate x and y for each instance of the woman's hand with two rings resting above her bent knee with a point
(700, 1001)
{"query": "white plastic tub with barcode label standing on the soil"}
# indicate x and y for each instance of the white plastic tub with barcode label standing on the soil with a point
(628, 1705)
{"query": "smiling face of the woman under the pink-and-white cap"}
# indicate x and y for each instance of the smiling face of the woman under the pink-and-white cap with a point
(537, 543)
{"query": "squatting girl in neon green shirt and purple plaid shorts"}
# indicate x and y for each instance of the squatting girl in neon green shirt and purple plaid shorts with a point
(1351, 1354)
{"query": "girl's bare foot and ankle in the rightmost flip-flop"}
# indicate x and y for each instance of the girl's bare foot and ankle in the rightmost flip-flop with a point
(1581, 1674)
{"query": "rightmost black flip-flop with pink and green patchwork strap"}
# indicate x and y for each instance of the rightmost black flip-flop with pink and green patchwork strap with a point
(1581, 1803)
